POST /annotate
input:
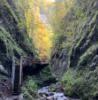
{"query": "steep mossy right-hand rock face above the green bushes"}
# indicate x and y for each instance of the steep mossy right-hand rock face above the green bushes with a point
(82, 22)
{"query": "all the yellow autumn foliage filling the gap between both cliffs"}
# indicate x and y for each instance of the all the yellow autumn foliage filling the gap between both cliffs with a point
(41, 33)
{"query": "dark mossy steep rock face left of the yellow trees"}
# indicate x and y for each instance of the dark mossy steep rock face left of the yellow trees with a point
(14, 40)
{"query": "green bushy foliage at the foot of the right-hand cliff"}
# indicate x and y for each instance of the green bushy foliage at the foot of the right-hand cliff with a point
(82, 84)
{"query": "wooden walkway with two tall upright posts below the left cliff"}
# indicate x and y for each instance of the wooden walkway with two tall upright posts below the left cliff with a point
(17, 72)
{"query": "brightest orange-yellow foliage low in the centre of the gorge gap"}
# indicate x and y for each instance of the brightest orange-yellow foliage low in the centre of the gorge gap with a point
(43, 40)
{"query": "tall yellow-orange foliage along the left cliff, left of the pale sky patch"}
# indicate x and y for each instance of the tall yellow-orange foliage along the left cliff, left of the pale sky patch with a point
(37, 30)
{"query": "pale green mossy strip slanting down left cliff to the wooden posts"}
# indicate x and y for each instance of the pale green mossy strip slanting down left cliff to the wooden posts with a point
(10, 44)
